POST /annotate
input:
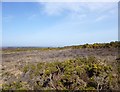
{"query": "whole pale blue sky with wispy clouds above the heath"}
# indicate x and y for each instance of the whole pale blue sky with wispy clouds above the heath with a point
(56, 24)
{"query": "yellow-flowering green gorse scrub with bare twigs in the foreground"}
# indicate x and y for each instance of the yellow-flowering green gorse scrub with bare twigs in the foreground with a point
(76, 74)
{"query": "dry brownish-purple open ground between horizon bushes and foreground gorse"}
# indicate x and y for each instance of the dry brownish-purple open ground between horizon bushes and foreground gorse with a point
(13, 61)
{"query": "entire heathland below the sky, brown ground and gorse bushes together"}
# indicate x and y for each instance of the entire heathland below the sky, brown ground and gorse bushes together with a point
(84, 67)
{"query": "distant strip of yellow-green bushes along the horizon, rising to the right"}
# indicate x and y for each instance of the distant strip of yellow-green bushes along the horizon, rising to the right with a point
(115, 44)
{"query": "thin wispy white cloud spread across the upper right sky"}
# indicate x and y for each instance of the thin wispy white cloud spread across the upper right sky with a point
(79, 10)
